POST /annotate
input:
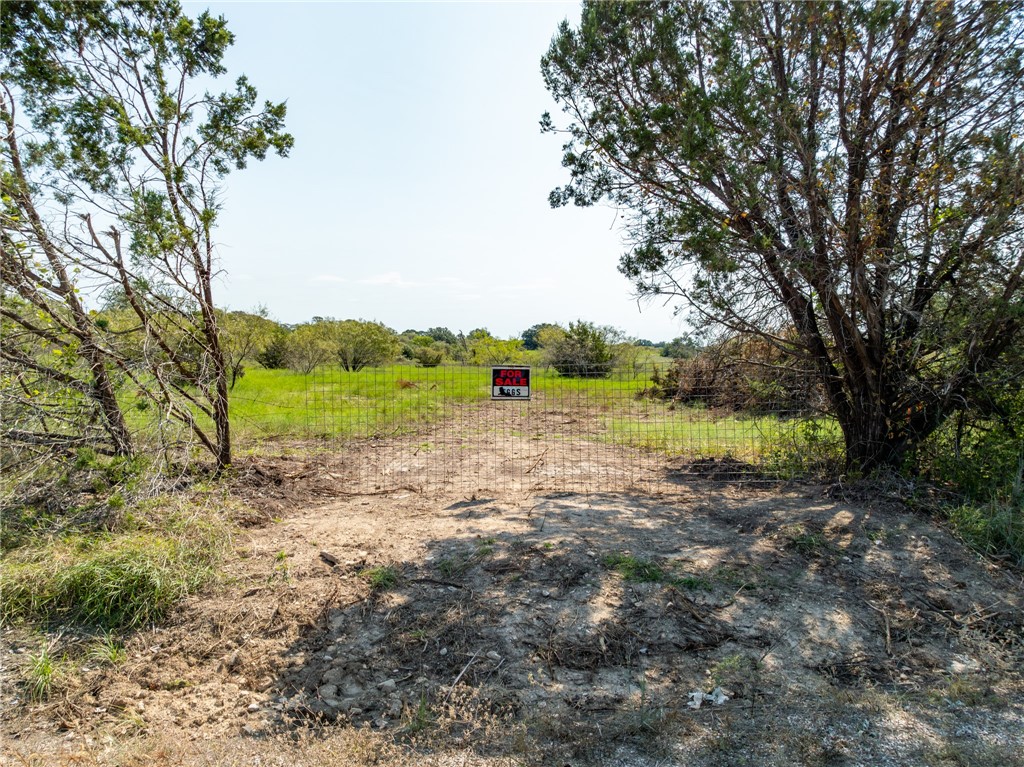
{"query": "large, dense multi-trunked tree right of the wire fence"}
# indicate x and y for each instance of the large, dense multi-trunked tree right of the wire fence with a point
(848, 173)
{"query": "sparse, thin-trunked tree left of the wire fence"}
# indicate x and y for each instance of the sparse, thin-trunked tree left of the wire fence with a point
(121, 187)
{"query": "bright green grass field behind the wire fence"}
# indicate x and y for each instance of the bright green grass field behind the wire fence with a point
(334, 405)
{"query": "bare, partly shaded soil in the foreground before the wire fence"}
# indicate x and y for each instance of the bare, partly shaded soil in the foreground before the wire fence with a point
(452, 626)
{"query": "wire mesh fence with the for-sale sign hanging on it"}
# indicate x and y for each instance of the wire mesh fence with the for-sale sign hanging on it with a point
(440, 430)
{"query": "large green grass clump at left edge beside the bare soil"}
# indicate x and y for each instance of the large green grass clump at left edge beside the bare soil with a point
(113, 581)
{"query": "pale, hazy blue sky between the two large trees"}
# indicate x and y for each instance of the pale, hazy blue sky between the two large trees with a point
(417, 191)
